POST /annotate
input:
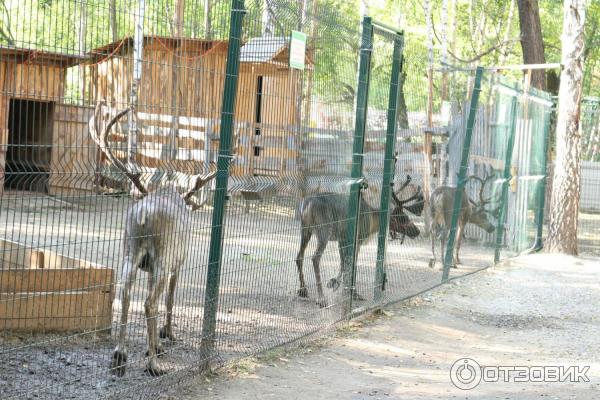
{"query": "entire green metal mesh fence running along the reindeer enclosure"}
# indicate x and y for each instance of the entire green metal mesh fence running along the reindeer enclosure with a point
(180, 181)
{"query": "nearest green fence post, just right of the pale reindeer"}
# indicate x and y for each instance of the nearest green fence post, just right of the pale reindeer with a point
(213, 278)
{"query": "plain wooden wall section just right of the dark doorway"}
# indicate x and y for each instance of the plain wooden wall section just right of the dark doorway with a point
(73, 161)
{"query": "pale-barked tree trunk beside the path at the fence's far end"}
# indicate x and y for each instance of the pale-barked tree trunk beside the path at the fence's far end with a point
(562, 236)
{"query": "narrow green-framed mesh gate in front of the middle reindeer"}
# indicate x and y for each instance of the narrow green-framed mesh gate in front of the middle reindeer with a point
(376, 123)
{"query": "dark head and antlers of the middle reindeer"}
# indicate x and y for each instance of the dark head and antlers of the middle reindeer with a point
(400, 223)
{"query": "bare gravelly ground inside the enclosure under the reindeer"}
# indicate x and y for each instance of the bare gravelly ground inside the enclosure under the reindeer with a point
(258, 305)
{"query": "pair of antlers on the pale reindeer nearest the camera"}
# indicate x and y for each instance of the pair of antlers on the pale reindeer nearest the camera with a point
(99, 131)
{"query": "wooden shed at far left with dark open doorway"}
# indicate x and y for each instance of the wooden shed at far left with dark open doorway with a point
(32, 90)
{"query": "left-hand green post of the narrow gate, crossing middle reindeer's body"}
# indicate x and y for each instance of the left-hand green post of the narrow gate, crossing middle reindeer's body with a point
(357, 162)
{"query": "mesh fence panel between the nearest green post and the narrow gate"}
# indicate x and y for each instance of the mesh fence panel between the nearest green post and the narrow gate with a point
(289, 184)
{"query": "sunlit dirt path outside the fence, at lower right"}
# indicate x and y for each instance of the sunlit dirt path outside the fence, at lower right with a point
(538, 311)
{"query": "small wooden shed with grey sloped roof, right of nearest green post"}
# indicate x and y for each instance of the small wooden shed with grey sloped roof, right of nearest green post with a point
(269, 107)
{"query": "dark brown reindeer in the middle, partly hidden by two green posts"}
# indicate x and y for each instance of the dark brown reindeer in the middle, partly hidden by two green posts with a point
(326, 215)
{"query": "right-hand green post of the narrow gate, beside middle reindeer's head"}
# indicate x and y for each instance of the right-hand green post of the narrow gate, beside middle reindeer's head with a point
(388, 166)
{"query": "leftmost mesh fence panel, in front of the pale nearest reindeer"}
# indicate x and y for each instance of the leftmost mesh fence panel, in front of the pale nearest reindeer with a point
(77, 221)
